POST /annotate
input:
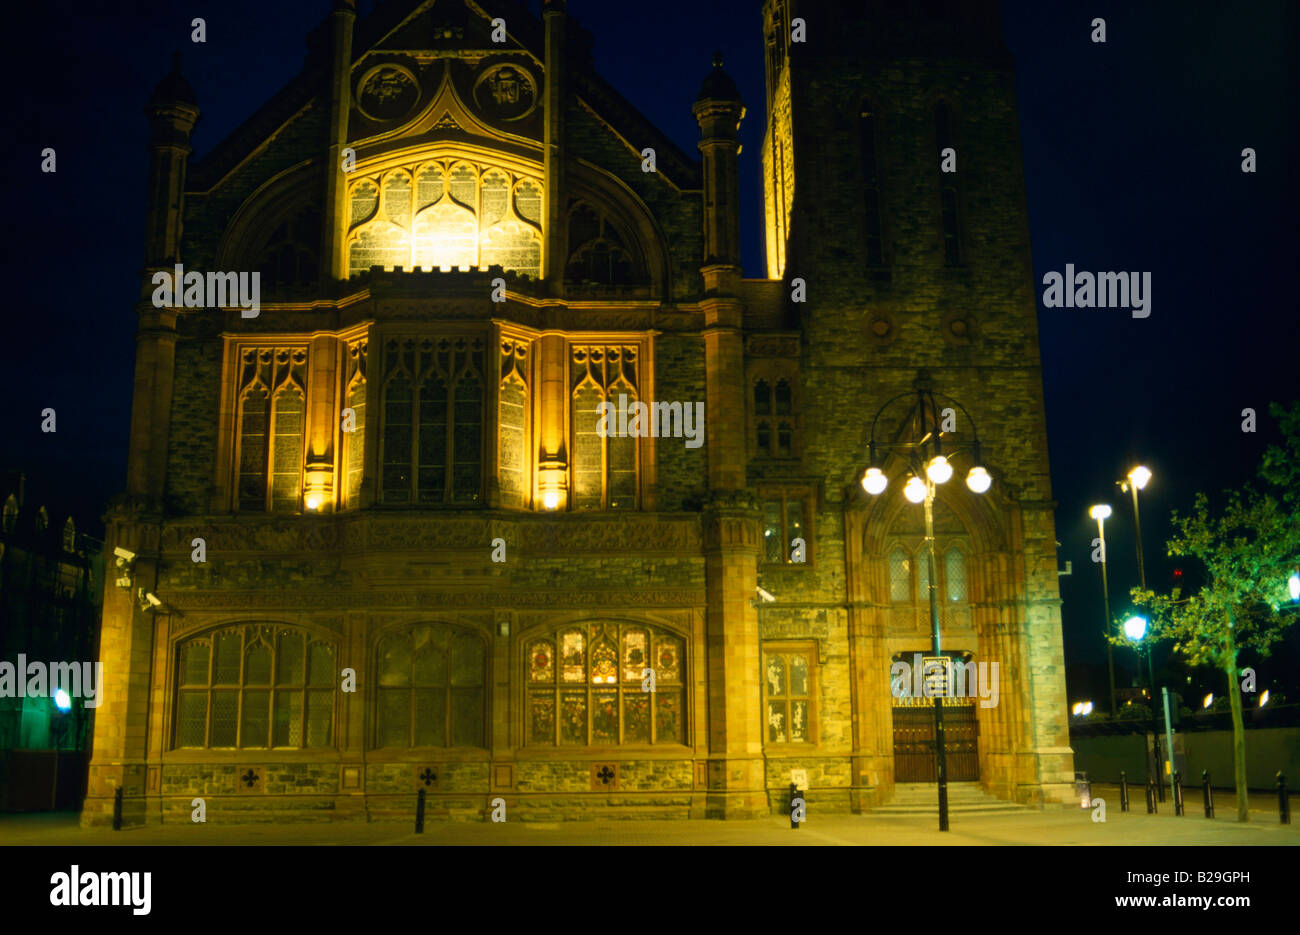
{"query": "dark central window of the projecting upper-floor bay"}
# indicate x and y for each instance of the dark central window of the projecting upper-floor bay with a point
(434, 422)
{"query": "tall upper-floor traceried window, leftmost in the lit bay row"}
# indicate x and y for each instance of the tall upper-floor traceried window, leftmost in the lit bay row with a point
(271, 428)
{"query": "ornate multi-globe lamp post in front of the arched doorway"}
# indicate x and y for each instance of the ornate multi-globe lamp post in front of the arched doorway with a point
(929, 466)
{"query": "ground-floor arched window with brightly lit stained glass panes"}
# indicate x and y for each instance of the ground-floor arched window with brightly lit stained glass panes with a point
(587, 687)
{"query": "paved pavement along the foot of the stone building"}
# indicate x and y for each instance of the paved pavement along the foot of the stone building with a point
(1056, 826)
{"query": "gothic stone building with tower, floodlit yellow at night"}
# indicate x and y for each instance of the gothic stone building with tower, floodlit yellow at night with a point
(462, 256)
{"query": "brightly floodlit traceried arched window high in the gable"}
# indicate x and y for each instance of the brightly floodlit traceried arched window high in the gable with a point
(445, 214)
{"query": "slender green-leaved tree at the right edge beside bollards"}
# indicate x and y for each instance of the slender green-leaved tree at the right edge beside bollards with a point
(1249, 549)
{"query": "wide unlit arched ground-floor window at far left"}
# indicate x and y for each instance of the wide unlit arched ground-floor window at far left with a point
(257, 686)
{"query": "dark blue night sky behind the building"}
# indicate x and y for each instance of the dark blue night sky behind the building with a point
(1133, 162)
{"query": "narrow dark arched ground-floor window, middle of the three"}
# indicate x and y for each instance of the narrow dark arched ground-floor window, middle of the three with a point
(431, 689)
